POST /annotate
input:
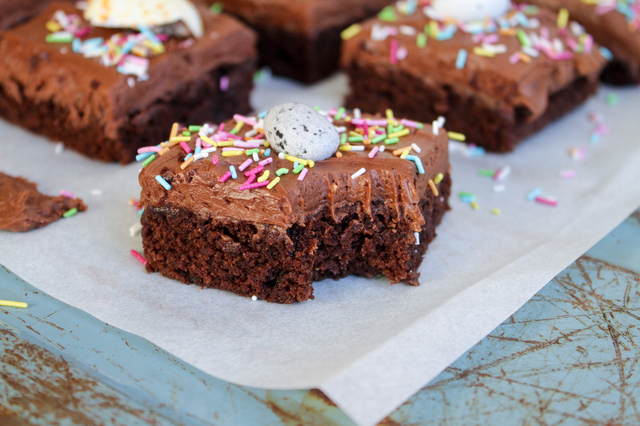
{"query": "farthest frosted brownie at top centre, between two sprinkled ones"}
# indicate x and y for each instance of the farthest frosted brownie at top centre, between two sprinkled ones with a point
(301, 39)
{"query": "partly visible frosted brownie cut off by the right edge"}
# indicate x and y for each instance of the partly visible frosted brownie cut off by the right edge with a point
(614, 25)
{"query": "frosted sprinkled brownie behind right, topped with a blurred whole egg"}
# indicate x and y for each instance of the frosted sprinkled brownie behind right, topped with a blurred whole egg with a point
(496, 81)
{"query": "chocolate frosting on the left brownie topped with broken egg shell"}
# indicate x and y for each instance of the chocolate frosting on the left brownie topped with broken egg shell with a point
(100, 92)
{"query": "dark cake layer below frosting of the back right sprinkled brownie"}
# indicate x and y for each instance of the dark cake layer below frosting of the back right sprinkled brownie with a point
(495, 129)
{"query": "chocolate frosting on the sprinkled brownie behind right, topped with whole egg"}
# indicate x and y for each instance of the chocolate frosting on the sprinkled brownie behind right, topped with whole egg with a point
(494, 80)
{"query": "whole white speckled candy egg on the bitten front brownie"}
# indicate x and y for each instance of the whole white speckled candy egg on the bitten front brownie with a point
(298, 130)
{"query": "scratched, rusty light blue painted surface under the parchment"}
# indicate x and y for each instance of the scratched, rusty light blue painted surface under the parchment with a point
(569, 356)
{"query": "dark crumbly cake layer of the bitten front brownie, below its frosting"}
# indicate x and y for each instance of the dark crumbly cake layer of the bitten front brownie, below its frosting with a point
(280, 264)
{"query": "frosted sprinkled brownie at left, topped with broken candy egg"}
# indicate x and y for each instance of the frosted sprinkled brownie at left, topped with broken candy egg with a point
(105, 104)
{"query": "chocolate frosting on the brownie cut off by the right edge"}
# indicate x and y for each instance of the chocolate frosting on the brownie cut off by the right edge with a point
(610, 29)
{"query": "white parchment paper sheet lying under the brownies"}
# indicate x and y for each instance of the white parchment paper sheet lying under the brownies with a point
(368, 345)
